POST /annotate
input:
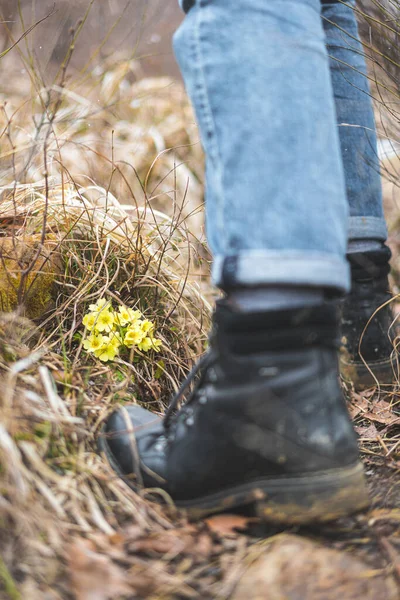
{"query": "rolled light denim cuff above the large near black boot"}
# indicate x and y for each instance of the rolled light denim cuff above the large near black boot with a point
(275, 267)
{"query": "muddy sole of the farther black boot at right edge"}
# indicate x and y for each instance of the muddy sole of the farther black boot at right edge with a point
(361, 377)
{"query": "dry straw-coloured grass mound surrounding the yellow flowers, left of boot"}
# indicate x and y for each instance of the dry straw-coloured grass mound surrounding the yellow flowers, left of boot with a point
(53, 396)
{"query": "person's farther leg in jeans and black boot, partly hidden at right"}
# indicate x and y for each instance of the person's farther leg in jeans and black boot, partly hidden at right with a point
(367, 254)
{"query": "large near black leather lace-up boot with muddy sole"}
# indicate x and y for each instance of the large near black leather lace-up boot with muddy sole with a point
(266, 424)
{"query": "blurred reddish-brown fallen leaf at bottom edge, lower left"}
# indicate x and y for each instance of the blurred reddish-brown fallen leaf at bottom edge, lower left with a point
(94, 576)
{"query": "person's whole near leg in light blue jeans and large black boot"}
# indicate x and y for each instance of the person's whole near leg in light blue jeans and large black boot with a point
(266, 422)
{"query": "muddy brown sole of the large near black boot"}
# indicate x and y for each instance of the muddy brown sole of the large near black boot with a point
(317, 497)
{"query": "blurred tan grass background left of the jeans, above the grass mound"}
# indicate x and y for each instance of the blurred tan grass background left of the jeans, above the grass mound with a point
(106, 68)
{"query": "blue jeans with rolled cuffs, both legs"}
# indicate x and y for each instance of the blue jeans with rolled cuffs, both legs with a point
(285, 117)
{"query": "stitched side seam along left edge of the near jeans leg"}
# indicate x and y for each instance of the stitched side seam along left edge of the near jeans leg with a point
(205, 105)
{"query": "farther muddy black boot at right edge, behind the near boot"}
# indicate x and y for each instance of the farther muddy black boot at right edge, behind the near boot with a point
(366, 354)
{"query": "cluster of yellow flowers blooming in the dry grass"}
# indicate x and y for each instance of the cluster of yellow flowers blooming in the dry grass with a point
(112, 330)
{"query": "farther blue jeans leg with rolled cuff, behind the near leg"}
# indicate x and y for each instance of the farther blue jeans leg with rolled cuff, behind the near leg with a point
(355, 118)
